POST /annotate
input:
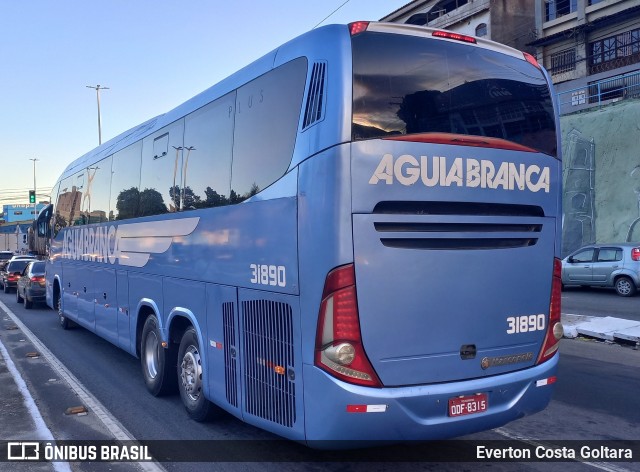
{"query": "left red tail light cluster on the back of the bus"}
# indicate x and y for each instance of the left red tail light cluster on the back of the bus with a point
(339, 349)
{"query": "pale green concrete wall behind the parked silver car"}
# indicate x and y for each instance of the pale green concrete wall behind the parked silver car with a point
(601, 177)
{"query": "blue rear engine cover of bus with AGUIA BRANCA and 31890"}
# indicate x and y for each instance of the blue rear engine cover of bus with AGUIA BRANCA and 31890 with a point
(463, 241)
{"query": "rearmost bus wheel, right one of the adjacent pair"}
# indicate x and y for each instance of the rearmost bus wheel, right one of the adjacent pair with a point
(190, 378)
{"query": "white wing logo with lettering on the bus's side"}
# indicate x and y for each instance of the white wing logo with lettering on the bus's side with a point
(129, 244)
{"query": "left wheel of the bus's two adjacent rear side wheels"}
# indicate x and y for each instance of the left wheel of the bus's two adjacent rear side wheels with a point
(158, 363)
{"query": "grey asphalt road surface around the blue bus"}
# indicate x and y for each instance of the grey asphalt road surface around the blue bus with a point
(595, 398)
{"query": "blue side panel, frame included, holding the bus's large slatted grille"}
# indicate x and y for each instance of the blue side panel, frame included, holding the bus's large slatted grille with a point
(271, 362)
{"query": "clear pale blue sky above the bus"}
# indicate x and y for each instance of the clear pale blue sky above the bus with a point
(151, 54)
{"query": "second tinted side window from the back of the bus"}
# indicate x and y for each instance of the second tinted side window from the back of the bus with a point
(206, 156)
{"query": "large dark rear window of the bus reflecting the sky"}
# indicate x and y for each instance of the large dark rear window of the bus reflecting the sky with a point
(405, 85)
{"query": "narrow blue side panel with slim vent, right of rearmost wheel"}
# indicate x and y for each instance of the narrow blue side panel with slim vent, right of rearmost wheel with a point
(223, 348)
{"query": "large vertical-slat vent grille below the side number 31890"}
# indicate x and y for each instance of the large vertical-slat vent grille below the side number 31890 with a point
(268, 361)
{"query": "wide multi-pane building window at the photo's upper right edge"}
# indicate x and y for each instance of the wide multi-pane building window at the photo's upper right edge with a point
(615, 51)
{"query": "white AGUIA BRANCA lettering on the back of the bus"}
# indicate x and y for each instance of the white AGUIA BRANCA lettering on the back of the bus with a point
(440, 171)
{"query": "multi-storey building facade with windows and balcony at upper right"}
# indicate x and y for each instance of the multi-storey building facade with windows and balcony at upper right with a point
(591, 48)
